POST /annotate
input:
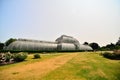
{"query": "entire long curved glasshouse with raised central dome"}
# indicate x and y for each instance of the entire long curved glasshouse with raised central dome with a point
(63, 43)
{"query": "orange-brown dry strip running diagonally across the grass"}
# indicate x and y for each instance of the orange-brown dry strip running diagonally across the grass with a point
(36, 70)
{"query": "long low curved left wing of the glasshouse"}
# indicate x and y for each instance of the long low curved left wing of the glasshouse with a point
(31, 46)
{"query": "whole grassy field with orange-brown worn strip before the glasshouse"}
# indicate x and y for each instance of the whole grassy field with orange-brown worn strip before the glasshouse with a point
(63, 66)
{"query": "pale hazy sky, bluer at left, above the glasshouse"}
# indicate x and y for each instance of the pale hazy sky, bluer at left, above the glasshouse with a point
(86, 20)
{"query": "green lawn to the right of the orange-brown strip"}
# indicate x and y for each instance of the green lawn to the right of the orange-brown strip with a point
(87, 66)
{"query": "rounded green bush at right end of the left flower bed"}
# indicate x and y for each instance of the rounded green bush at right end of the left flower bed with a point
(18, 57)
